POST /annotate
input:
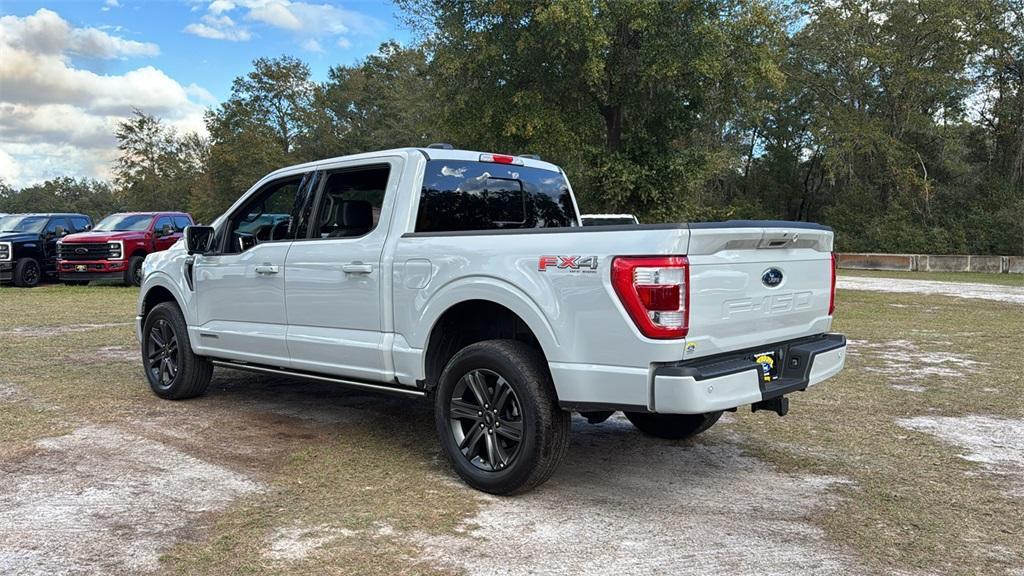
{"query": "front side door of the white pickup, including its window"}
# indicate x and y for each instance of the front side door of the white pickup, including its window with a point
(240, 290)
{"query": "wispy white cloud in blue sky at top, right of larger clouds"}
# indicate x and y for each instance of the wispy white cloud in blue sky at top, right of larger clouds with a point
(310, 23)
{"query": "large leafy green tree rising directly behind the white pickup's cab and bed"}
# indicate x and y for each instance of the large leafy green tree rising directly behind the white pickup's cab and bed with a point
(636, 99)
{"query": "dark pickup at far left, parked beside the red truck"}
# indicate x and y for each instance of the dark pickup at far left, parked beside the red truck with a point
(29, 245)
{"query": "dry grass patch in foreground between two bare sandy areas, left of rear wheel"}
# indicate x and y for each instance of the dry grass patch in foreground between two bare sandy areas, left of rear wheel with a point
(373, 488)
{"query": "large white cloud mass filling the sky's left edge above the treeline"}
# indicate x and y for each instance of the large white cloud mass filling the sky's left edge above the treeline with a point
(58, 119)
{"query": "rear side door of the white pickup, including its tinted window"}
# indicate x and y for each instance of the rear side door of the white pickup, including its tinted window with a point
(335, 287)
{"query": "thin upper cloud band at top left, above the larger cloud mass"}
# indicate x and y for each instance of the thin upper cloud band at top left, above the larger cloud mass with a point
(47, 33)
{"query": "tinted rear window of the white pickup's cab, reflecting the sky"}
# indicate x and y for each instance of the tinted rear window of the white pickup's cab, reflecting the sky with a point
(476, 196)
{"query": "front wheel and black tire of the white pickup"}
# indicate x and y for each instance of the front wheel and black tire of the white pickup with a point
(174, 371)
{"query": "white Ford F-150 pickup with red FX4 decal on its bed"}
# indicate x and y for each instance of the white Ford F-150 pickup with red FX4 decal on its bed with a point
(465, 278)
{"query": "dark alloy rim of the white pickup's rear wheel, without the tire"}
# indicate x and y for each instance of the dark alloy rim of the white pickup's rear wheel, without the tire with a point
(487, 420)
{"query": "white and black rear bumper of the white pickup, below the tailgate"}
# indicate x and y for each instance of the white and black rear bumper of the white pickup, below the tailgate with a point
(734, 380)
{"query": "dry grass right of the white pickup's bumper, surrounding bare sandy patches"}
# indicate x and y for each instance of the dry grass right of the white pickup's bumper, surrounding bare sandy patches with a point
(914, 503)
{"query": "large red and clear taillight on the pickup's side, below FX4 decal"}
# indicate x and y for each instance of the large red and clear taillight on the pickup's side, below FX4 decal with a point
(656, 293)
